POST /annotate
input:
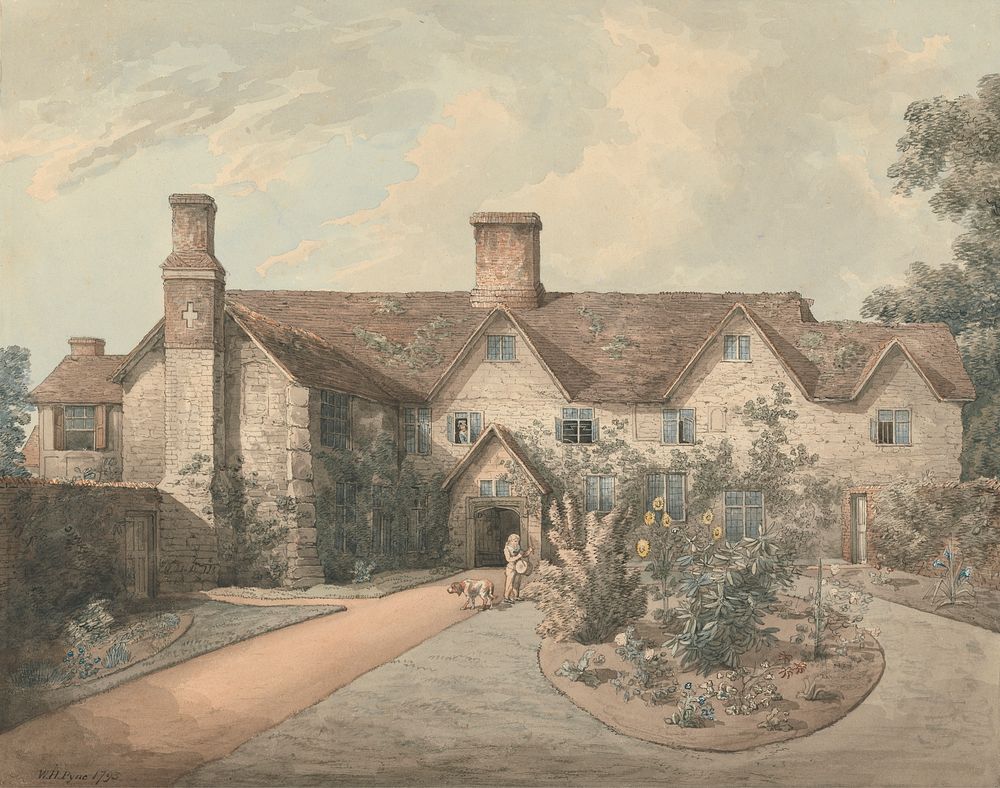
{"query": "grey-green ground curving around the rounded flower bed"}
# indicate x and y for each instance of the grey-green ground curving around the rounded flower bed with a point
(471, 707)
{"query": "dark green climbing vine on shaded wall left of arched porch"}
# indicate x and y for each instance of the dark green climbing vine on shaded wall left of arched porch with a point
(369, 509)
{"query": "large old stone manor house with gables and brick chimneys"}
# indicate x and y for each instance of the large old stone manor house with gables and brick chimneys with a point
(276, 378)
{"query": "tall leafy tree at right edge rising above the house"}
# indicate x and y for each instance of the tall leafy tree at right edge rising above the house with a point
(952, 148)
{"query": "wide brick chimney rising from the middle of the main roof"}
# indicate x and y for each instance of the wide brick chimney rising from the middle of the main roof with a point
(507, 260)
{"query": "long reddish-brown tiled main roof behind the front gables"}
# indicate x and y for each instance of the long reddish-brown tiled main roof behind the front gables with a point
(602, 347)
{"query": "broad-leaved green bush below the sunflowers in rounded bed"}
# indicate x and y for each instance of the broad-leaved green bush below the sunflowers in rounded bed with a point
(728, 589)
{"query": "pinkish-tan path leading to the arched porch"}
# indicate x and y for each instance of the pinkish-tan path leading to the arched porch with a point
(153, 730)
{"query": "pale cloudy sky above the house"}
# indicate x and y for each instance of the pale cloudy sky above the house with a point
(670, 146)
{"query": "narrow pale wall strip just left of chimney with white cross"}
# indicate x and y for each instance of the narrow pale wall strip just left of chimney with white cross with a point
(143, 425)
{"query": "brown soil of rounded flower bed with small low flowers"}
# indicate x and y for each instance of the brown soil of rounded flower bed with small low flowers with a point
(637, 688)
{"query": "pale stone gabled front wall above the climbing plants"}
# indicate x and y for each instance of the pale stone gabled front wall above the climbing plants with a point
(517, 393)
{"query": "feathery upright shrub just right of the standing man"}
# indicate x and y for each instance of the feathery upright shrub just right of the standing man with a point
(592, 591)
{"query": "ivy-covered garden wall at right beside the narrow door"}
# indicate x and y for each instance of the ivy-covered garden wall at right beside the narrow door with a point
(910, 525)
